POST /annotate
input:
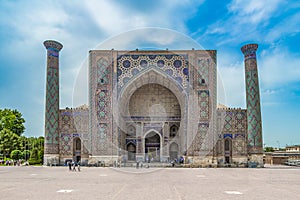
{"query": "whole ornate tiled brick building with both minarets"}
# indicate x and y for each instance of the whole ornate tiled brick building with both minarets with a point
(153, 106)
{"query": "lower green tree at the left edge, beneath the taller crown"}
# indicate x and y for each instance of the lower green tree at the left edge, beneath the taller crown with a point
(9, 141)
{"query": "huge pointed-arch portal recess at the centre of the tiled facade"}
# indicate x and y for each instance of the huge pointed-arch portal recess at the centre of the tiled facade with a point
(152, 102)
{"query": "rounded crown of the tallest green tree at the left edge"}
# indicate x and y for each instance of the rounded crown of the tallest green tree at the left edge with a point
(12, 120)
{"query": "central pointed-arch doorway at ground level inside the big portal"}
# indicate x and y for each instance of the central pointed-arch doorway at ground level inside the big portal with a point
(152, 147)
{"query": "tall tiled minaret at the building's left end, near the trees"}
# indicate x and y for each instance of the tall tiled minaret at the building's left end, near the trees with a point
(51, 152)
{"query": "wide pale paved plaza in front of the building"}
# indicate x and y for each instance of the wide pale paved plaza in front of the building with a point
(167, 183)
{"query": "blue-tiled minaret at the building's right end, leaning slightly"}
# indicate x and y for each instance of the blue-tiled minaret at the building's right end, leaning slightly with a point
(255, 144)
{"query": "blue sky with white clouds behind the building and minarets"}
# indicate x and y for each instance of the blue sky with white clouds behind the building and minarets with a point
(221, 25)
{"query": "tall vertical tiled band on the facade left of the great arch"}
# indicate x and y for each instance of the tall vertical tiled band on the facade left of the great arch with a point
(101, 102)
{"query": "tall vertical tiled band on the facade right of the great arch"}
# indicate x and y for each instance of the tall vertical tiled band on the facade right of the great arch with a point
(203, 80)
